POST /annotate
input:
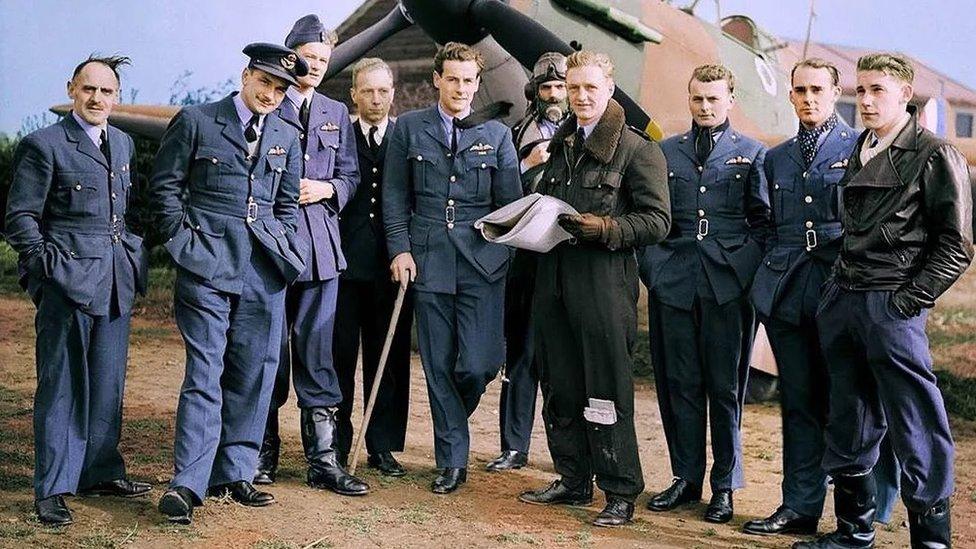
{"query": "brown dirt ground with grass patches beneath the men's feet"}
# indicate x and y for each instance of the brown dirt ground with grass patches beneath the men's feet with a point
(398, 512)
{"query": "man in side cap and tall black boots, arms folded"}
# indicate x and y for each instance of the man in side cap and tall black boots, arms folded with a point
(329, 177)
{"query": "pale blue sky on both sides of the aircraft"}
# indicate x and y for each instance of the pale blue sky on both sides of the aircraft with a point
(42, 40)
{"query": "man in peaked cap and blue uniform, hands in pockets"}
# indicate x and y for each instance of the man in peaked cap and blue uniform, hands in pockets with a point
(225, 184)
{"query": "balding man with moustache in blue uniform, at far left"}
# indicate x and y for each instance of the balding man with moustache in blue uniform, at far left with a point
(80, 264)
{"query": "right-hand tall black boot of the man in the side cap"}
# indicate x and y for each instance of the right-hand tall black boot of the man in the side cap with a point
(324, 471)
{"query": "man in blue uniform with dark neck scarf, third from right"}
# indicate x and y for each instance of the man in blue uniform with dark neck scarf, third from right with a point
(701, 321)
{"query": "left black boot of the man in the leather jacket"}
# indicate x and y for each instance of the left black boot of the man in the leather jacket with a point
(854, 505)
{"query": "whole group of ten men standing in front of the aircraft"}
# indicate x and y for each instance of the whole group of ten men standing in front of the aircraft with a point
(287, 221)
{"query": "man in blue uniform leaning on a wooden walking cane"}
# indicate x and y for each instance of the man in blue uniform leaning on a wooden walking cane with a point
(441, 174)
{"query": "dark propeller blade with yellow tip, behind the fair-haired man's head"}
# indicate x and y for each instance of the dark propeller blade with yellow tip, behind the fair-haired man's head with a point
(527, 40)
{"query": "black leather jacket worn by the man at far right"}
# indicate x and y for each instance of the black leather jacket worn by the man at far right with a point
(907, 219)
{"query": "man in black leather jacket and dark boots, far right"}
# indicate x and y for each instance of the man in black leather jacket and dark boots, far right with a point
(908, 237)
